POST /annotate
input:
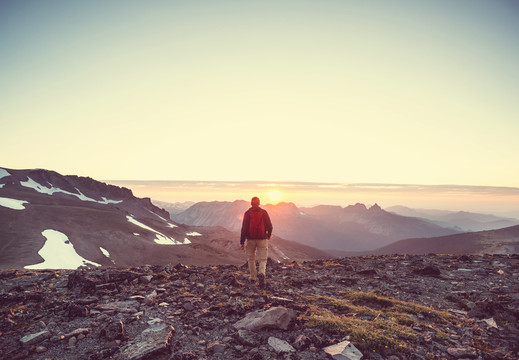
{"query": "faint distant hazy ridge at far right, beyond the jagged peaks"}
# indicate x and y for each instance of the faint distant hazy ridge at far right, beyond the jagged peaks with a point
(458, 220)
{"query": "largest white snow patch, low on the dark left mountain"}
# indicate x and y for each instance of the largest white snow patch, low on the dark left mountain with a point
(59, 253)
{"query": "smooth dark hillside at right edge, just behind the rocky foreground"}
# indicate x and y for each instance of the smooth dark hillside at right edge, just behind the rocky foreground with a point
(500, 241)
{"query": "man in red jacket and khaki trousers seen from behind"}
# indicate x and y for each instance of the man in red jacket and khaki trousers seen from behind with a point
(256, 229)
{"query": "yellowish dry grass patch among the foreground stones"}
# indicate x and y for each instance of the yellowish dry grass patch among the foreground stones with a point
(374, 322)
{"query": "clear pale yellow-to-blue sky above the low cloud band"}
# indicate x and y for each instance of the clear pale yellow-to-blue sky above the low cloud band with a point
(389, 92)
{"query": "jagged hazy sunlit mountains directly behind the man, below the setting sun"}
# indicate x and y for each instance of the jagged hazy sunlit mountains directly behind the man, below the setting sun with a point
(352, 228)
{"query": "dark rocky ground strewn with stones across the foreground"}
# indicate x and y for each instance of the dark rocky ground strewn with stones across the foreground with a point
(388, 307)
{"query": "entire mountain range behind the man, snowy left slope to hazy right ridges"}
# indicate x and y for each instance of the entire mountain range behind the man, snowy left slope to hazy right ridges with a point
(48, 220)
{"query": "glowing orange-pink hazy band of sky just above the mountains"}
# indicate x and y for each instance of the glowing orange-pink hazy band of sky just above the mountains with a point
(501, 201)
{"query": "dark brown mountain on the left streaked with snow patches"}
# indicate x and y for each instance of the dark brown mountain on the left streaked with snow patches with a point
(48, 220)
